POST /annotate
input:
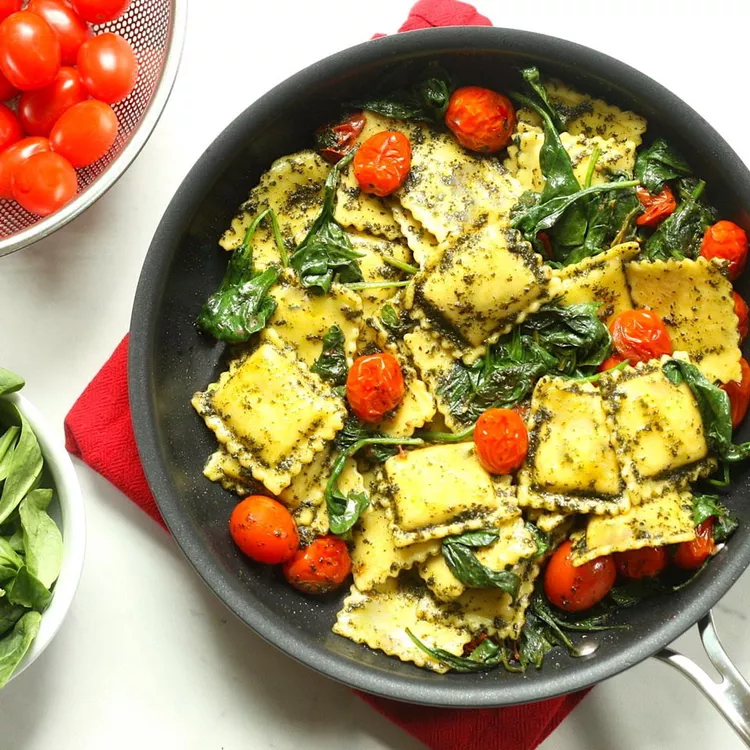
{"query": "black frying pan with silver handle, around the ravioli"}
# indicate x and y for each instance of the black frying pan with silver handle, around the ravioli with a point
(169, 360)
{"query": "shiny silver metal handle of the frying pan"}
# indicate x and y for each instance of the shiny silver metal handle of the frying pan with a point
(731, 695)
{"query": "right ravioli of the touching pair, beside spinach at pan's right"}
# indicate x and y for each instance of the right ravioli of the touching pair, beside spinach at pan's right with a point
(656, 428)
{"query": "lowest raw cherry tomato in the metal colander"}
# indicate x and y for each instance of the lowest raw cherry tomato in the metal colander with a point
(44, 182)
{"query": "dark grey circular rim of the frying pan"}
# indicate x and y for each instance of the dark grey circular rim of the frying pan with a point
(164, 247)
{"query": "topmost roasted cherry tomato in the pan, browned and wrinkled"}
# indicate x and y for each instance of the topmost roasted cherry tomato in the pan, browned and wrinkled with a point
(482, 120)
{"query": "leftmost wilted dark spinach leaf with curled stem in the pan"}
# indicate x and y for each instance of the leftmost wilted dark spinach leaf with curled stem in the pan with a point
(241, 306)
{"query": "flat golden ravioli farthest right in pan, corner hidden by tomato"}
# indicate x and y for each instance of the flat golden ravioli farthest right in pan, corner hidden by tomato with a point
(694, 299)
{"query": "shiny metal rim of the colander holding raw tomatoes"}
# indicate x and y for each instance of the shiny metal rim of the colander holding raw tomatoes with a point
(119, 165)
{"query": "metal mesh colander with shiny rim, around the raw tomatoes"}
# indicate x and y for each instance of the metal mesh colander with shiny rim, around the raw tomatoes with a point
(156, 30)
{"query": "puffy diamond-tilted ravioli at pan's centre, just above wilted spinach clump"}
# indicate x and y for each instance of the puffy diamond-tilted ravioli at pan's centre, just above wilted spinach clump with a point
(486, 281)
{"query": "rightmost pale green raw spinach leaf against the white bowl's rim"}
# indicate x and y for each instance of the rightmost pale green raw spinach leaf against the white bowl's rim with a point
(42, 539)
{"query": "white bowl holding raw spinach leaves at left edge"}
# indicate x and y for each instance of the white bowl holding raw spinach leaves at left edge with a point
(67, 510)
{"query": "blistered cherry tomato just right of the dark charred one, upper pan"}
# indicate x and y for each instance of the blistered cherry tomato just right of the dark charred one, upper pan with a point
(382, 163)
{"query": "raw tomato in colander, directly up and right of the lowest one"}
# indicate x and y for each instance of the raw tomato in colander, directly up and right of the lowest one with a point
(85, 132)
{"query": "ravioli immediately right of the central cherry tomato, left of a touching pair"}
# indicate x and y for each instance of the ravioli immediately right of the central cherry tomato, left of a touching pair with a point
(571, 465)
